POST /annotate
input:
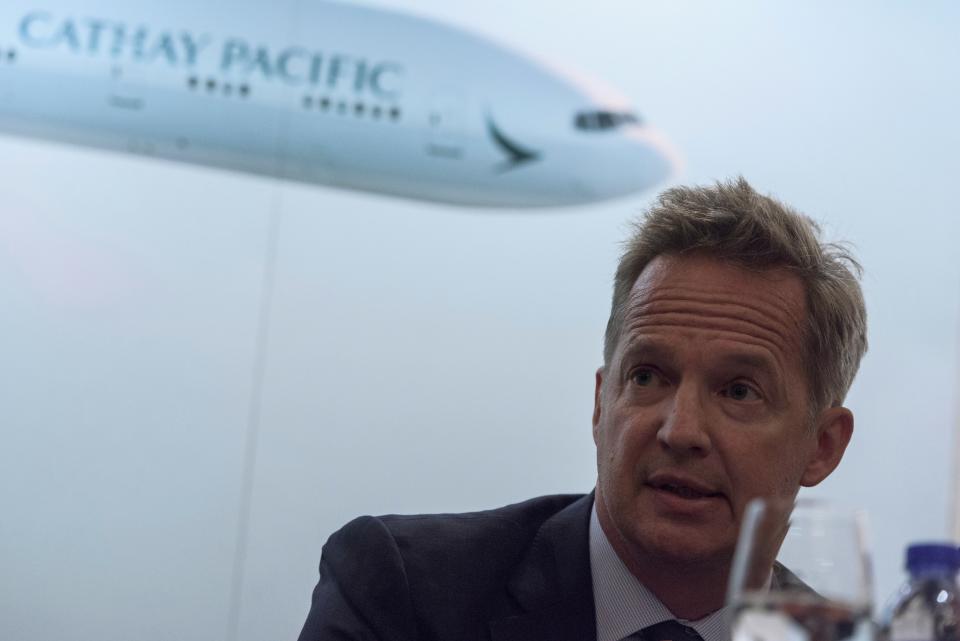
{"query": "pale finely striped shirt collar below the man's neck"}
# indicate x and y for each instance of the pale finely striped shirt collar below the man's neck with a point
(624, 605)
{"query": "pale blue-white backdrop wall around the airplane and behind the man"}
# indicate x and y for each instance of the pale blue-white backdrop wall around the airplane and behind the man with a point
(181, 434)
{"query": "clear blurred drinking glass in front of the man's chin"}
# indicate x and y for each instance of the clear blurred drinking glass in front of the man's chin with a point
(801, 572)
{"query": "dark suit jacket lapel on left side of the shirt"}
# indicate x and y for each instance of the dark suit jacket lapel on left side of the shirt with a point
(553, 585)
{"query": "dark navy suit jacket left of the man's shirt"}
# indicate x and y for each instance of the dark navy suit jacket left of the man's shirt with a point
(518, 573)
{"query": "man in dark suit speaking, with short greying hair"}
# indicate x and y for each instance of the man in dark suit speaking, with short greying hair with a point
(733, 338)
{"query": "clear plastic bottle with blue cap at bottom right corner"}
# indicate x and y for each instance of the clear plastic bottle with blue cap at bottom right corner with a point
(927, 606)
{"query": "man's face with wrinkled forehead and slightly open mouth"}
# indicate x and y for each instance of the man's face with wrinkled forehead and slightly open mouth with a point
(703, 406)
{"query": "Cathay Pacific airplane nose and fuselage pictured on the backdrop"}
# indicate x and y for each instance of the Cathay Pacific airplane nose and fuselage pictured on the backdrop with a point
(321, 92)
